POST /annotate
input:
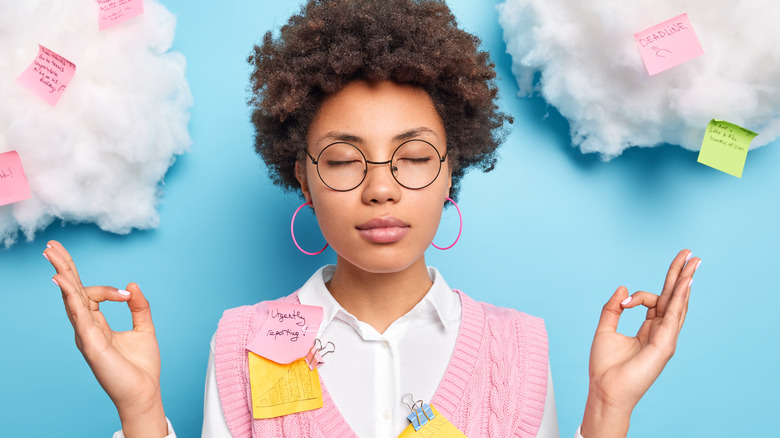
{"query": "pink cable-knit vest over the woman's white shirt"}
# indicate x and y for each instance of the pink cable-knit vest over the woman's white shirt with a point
(495, 384)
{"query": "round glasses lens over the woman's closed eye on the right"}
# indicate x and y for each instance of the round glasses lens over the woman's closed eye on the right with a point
(416, 164)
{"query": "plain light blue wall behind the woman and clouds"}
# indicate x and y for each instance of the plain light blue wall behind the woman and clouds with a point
(550, 232)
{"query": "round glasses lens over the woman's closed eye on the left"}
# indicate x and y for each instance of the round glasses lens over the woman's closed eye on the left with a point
(341, 166)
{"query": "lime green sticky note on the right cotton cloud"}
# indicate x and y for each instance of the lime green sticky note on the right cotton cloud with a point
(725, 147)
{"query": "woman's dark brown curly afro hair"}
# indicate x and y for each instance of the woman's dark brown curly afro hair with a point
(333, 42)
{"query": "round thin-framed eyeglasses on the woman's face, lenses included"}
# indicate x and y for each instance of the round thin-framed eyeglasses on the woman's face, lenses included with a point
(415, 164)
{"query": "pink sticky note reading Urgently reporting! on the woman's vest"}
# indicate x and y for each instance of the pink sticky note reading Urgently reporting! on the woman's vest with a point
(288, 332)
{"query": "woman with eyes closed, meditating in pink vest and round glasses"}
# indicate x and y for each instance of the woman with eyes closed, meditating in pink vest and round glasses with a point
(374, 110)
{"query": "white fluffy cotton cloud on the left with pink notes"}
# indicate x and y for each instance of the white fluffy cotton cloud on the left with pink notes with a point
(101, 153)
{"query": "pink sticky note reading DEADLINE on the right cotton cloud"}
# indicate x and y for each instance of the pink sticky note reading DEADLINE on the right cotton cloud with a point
(668, 44)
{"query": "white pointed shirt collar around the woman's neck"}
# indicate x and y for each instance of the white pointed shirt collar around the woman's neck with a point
(440, 297)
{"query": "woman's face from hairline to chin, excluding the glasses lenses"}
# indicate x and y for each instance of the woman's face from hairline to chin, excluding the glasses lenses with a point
(380, 226)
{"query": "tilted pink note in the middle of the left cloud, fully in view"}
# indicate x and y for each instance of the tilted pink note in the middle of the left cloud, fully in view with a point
(48, 76)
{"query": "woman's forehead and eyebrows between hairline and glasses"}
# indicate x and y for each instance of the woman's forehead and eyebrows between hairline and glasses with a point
(375, 113)
